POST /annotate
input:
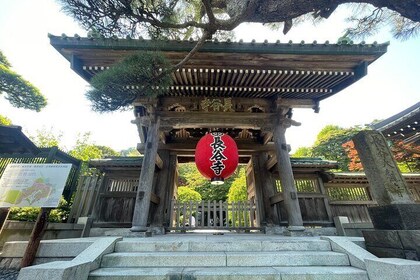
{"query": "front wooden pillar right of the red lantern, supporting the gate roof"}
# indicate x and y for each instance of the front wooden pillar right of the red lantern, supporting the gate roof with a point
(284, 166)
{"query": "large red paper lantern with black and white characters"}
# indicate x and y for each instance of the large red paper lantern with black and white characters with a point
(216, 157)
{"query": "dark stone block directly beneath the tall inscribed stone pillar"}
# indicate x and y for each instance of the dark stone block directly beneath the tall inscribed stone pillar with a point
(395, 216)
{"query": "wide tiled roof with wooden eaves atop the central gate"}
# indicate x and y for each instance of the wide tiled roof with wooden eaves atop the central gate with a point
(235, 69)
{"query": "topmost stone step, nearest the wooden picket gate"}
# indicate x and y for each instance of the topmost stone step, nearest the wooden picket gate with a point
(222, 246)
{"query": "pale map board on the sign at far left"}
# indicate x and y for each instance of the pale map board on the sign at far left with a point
(35, 185)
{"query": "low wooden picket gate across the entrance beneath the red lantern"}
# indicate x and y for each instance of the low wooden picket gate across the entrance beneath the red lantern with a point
(214, 215)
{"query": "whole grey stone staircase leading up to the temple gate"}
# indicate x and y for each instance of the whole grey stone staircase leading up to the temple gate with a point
(226, 257)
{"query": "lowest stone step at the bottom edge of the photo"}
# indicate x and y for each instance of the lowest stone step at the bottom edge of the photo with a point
(231, 273)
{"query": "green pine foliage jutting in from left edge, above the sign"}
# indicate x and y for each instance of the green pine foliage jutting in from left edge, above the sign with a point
(18, 91)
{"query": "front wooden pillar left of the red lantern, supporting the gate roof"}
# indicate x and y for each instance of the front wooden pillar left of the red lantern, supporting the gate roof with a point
(142, 204)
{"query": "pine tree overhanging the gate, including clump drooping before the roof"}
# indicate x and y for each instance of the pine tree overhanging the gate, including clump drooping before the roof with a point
(116, 88)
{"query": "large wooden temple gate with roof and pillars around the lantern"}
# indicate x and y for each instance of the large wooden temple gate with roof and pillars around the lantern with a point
(247, 90)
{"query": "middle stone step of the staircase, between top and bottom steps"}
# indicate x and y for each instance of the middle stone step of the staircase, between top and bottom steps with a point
(212, 259)
